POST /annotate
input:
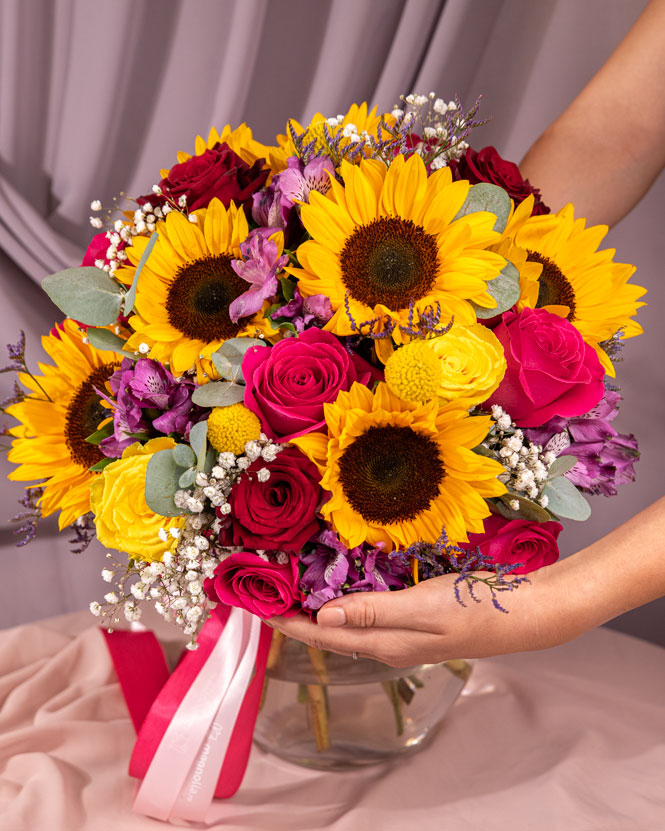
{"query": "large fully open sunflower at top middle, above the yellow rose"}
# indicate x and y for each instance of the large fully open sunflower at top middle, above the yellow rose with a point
(386, 239)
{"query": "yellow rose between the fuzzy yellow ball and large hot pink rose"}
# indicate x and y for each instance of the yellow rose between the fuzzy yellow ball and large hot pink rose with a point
(472, 363)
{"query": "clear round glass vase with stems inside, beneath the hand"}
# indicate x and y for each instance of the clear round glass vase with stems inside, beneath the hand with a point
(327, 711)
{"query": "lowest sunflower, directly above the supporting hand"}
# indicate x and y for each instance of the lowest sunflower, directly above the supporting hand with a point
(399, 472)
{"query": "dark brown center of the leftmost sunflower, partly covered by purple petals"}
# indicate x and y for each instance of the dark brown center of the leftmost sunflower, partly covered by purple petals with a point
(84, 413)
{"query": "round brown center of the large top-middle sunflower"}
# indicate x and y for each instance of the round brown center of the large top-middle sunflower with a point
(390, 261)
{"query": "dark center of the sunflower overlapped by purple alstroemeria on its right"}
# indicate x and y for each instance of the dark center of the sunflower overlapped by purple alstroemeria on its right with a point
(199, 298)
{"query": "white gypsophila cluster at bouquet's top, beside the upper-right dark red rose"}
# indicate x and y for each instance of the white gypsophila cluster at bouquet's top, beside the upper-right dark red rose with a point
(439, 123)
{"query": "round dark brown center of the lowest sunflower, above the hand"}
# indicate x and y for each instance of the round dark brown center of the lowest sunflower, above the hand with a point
(391, 474)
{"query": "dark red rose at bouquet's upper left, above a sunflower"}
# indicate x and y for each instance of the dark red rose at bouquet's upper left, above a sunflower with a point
(218, 172)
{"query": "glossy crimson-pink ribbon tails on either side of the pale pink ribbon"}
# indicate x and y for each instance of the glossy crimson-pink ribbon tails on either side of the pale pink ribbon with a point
(152, 696)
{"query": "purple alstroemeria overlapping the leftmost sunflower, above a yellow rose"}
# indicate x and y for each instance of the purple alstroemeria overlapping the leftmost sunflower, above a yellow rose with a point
(148, 399)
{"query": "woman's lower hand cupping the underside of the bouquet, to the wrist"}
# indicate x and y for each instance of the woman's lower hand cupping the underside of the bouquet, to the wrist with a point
(426, 624)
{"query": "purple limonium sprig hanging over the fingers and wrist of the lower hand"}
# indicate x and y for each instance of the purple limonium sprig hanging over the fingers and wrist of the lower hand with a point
(443, 557)
